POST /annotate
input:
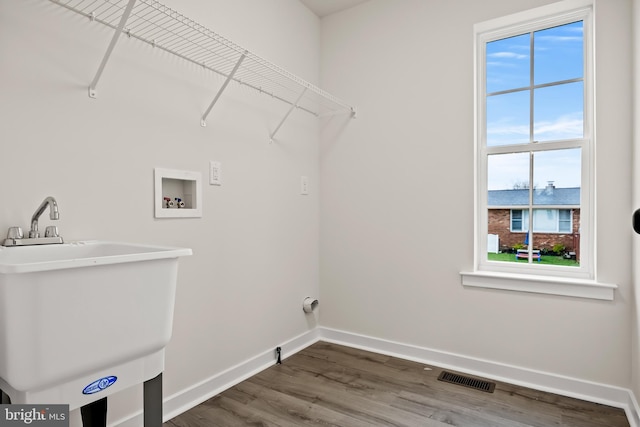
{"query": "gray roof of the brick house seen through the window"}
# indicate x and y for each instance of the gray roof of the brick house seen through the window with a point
(543, 196)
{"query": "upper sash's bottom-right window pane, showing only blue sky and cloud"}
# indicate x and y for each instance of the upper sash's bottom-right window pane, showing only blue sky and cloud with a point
(558, 112)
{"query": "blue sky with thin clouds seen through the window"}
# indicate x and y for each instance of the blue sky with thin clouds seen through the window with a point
(557, 107)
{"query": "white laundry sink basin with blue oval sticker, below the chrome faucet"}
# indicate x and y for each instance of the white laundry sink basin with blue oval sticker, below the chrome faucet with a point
(74, 314)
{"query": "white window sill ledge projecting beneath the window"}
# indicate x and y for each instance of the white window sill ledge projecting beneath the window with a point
(539, 284)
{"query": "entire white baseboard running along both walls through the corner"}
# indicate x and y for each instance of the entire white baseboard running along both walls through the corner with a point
(594, 392)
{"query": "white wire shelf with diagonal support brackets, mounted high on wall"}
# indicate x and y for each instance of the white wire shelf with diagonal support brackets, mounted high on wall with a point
(164, 28)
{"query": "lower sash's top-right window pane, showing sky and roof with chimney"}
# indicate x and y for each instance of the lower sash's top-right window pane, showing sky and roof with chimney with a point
(556, 177)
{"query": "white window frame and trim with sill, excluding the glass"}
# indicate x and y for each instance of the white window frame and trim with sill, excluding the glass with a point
(533, 277)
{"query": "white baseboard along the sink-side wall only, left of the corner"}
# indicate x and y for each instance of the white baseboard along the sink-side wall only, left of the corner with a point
(188, 398)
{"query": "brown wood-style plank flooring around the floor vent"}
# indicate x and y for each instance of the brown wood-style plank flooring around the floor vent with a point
(332, 385)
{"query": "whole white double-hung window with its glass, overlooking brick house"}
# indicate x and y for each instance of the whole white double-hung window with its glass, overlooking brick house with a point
(534, 144)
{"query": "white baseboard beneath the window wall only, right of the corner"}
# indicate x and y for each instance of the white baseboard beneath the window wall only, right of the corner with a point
(593, 392)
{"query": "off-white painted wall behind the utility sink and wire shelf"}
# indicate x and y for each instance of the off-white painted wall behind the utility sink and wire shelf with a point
(256, 245)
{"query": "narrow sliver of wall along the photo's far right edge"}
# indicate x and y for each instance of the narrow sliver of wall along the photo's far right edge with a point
(635, 355)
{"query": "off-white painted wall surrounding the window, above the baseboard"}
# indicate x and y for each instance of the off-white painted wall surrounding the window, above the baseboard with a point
(397, 194)
